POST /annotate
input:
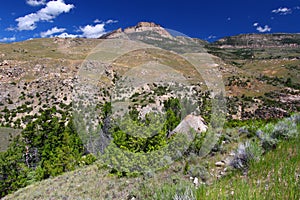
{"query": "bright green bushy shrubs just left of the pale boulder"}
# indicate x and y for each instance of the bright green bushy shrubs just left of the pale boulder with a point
(144, 135)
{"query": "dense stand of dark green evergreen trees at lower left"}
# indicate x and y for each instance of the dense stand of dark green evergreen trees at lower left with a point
(46, 148)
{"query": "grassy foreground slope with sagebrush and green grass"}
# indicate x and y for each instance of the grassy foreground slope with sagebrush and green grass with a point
(266, 176)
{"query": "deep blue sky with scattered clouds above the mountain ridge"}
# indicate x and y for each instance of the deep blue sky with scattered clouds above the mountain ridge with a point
(210, 20)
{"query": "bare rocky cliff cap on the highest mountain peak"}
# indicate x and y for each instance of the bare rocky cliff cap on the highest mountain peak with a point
(140, 27)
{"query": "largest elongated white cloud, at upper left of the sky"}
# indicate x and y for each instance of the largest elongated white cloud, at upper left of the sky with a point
(50, 12)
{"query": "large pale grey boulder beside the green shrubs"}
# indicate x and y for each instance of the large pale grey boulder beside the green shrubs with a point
(190, 122)
